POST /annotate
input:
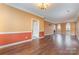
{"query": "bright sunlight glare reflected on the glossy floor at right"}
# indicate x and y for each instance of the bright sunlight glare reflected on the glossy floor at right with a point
(65, 43)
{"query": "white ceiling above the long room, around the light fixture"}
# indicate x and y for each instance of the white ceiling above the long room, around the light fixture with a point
(55, 13)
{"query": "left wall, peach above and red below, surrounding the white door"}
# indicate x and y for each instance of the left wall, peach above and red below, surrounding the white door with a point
(17, 23)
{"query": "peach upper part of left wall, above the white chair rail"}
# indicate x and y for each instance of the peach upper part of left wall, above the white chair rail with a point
(14, 20)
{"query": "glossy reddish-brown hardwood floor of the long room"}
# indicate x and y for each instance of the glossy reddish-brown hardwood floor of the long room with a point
(43, 47)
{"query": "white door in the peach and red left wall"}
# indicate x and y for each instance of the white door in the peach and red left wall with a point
(35, 33)
